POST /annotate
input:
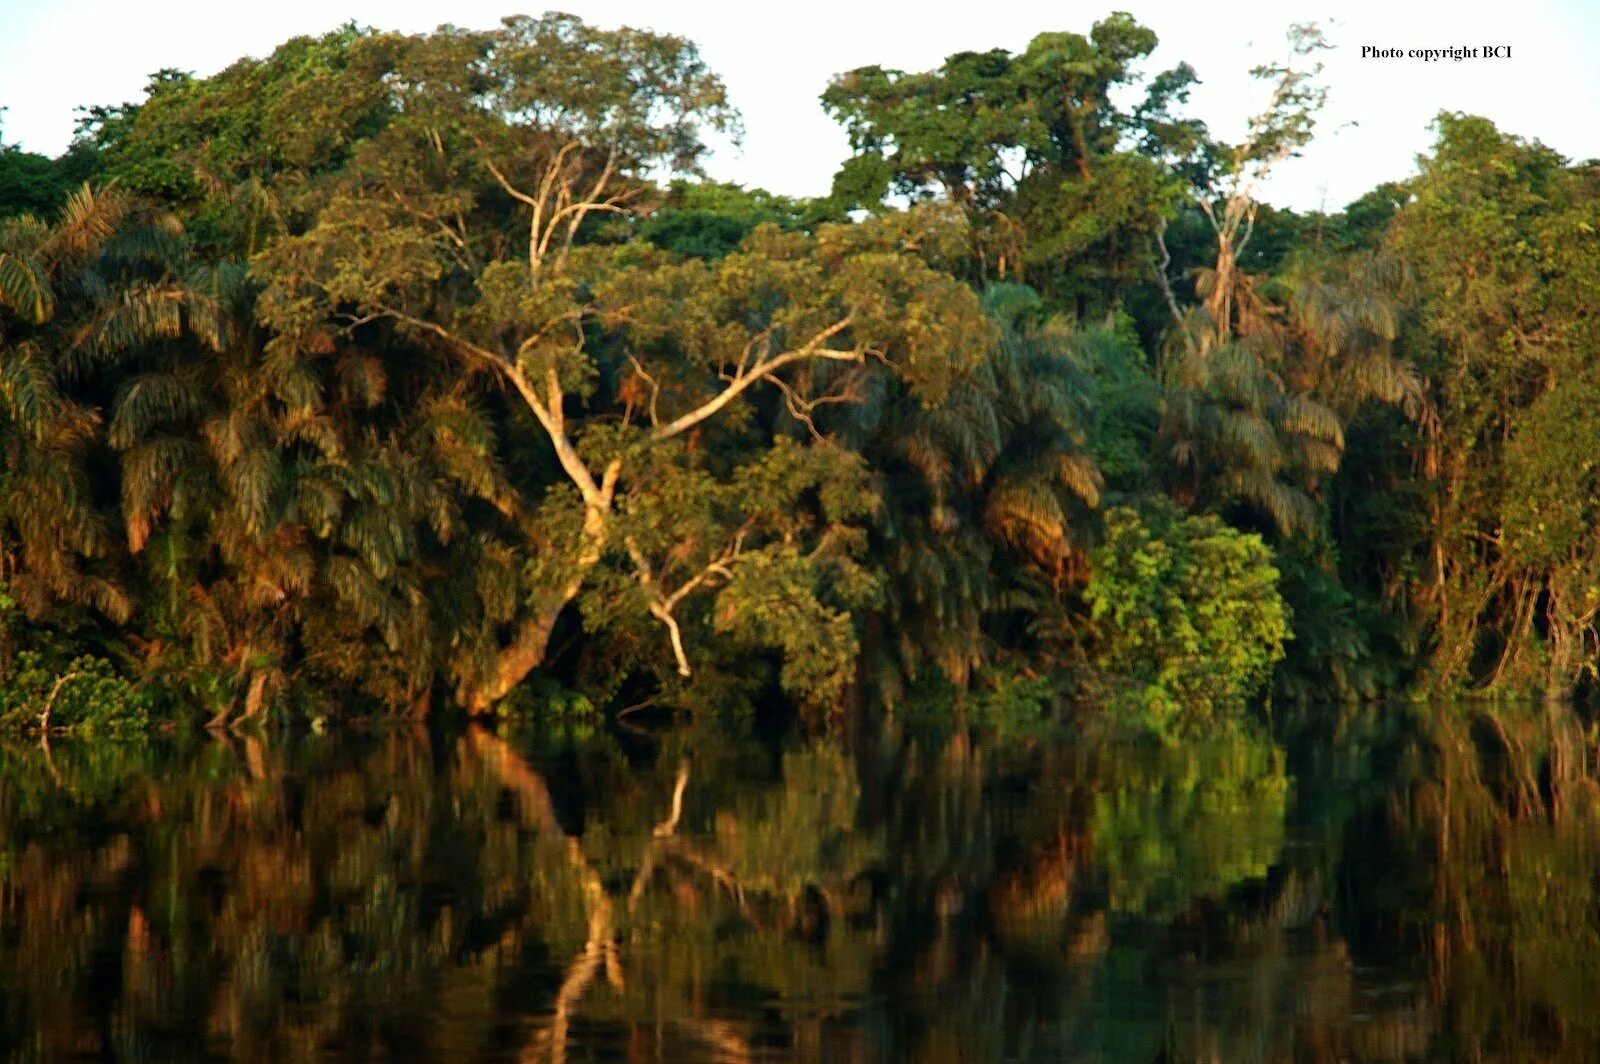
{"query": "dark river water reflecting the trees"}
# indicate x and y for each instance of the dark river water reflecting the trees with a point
(1390, 886)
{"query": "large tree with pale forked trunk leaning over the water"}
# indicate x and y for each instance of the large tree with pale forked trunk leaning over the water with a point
(620, 358)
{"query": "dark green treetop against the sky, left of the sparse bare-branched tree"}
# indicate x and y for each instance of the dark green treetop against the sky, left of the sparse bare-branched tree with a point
(1033, 146)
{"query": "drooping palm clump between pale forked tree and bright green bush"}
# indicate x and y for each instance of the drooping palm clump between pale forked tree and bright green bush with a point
(986, 495)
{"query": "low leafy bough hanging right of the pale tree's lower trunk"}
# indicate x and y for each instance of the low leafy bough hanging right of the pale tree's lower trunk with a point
(767, 558)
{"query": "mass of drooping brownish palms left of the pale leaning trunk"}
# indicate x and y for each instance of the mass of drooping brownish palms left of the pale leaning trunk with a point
(250, 514)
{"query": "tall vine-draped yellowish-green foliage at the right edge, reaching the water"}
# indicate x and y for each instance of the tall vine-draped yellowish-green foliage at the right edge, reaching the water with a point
(1502, 274)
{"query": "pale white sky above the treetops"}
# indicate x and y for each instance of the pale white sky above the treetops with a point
(777, 58)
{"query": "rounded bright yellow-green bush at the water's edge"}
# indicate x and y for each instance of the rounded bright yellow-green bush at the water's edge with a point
(1188, 618)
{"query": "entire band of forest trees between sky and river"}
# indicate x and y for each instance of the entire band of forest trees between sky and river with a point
(399, 374)
